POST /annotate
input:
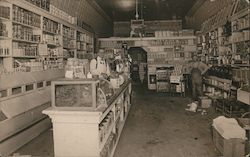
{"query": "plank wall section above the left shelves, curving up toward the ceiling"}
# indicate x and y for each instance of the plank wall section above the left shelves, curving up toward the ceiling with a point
(89, 12)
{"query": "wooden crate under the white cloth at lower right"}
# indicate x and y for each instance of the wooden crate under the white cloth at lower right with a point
(229, 147)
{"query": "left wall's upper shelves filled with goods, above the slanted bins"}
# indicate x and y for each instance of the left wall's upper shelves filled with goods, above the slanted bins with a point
(25, 26)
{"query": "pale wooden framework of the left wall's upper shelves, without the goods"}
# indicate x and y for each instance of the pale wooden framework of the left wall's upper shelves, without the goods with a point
(38, 30)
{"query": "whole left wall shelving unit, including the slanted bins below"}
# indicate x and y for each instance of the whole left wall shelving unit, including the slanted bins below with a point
(30, 36)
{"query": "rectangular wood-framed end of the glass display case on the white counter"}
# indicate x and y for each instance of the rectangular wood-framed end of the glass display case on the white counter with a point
(68, 93)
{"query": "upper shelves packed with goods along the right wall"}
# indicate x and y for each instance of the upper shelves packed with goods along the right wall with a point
(227, 41)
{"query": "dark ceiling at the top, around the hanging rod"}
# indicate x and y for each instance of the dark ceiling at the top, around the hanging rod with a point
(124, 10)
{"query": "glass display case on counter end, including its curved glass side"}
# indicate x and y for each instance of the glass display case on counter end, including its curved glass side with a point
(81, 93)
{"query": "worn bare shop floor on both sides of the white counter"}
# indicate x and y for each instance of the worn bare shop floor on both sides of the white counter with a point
(157, 126)
